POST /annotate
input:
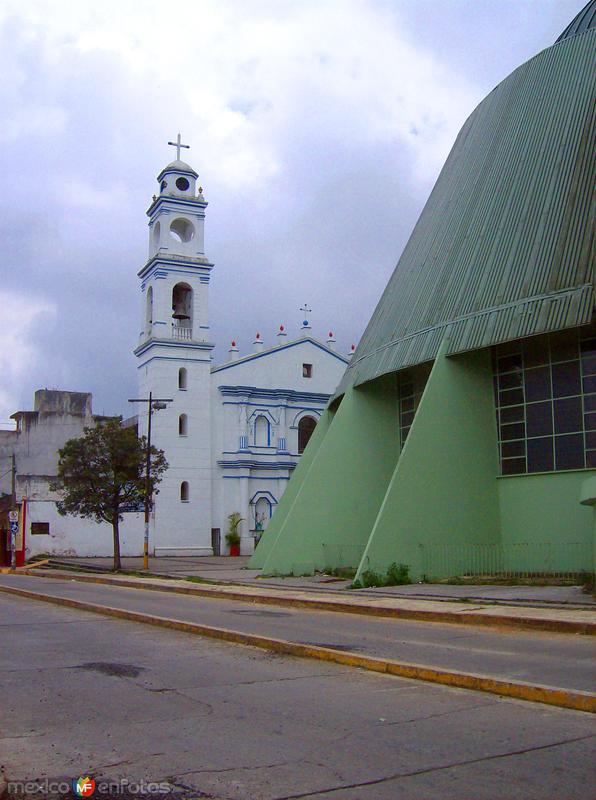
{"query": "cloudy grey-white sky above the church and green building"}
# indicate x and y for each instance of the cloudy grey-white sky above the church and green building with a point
(318, 128)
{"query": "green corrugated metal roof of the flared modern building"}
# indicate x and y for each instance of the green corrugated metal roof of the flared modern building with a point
(504, 246)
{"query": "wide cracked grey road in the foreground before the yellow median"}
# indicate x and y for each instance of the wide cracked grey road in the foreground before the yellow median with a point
(82, 693)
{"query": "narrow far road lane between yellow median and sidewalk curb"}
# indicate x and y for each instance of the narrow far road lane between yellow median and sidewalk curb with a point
(561, 660)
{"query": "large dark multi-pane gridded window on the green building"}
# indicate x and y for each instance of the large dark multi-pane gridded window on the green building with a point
(545, 397)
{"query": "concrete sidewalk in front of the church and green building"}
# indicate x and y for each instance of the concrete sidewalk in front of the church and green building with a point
(223, 569)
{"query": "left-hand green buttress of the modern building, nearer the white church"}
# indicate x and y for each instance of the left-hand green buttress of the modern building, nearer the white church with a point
(337, 498)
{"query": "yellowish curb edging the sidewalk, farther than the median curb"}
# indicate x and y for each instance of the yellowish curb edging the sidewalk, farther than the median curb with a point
(450, 617)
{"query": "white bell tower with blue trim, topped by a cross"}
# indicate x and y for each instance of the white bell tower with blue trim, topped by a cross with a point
(174, 360)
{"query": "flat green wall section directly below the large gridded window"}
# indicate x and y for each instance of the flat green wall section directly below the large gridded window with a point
(543, 524)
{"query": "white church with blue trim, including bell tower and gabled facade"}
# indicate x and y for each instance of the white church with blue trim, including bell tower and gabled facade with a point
(232, 432)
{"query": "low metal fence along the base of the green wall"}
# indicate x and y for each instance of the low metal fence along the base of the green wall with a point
(514, 560)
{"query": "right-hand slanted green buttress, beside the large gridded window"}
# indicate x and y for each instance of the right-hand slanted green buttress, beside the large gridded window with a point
(443, 488)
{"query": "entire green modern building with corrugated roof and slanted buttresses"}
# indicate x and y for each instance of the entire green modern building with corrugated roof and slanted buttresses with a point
(462, 437)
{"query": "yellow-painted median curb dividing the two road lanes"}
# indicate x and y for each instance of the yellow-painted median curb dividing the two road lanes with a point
(563, 698)
